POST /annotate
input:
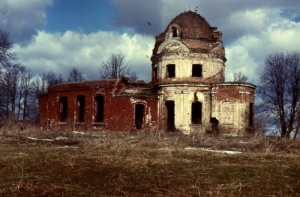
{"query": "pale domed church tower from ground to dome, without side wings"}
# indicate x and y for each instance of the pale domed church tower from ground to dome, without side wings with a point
(188, 64)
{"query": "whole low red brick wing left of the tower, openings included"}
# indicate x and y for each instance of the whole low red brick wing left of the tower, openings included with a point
(98, 105)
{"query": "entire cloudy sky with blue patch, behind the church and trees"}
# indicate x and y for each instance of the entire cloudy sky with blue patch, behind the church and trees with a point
(56, 35)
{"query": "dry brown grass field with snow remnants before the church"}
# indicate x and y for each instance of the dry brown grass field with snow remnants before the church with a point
(40, 163)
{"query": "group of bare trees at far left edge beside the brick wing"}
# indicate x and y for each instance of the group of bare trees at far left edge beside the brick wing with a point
(17, 99)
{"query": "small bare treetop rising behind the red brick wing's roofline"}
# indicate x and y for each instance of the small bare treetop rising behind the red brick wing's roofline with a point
(115, 67)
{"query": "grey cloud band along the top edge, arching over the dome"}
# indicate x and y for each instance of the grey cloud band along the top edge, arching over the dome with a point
(234, 18)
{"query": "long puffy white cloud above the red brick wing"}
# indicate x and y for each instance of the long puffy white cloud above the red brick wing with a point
(60, 52)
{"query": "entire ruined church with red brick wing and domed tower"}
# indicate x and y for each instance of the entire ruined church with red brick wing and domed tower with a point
(188, 92)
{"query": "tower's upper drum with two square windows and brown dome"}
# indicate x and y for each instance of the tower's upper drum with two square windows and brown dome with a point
(188, 43)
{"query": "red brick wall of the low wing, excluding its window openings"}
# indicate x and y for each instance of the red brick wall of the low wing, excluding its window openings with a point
(119, 111)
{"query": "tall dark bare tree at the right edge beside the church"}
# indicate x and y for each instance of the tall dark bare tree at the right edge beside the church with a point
(280, 90)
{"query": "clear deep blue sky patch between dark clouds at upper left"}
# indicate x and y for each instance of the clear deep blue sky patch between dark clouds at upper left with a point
(87, 16)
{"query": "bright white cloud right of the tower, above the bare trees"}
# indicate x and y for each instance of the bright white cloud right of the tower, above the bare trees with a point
(247, 54)
